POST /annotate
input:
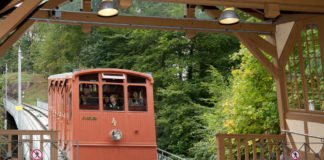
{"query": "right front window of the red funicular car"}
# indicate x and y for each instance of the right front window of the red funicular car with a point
(137, 98)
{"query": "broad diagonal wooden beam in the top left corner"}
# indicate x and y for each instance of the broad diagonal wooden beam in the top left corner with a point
(18, 15)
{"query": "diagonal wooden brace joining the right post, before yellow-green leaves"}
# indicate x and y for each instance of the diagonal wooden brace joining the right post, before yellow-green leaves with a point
(268, 65)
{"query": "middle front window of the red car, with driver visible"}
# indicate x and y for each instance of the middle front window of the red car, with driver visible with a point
(113, 97)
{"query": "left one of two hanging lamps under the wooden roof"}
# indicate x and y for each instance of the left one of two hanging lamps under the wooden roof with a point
(108, 8)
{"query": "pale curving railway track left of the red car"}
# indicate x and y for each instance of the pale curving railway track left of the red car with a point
(37, 114)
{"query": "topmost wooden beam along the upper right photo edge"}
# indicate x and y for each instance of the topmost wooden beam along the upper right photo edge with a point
(313, 6)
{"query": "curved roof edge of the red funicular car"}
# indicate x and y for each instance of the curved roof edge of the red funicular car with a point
(71, 75)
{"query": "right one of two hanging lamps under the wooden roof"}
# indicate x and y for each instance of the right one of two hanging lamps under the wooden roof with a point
(229, 16)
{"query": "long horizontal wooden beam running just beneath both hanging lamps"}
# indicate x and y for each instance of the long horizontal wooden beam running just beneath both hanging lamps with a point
(78, 18)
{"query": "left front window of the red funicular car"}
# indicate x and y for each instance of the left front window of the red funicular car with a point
(89, 97)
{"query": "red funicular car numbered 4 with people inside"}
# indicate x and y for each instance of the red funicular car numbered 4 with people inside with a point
(103, 114)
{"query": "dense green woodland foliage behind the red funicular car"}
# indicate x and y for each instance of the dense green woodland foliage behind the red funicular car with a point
(203, 86)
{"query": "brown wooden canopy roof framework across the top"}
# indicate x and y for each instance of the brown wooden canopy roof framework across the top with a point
(18, 15)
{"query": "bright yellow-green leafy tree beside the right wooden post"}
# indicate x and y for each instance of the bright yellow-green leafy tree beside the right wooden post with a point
(252, 106)
